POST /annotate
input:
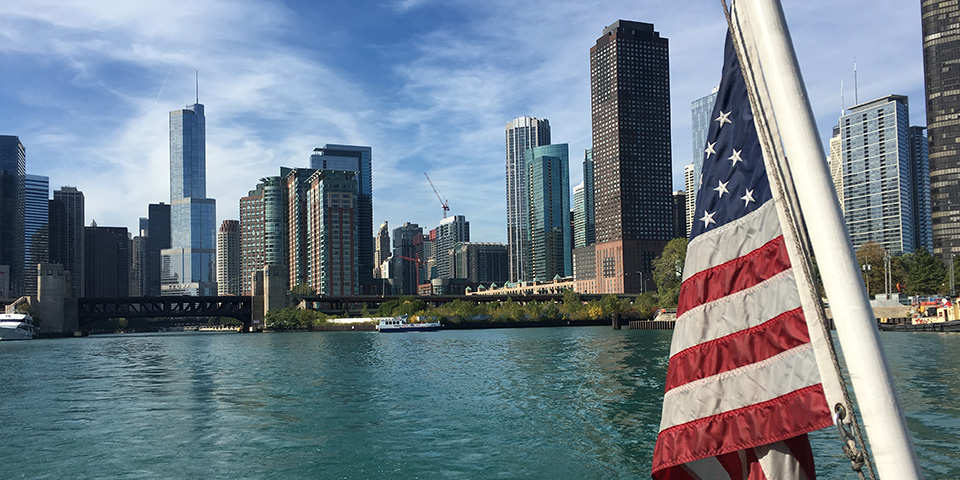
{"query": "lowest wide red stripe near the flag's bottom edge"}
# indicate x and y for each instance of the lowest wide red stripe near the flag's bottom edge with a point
(747, 427)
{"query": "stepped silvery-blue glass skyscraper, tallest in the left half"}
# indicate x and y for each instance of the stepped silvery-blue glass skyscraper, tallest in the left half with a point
(192, 254)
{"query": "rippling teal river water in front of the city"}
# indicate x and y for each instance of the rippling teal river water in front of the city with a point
(544, 403)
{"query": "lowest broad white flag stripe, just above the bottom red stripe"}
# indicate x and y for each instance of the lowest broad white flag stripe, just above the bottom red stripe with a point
(736, 389)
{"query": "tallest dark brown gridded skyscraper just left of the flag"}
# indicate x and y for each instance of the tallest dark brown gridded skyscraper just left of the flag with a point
(630, 111)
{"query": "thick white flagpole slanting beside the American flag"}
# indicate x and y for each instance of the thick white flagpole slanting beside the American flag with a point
(776, 72)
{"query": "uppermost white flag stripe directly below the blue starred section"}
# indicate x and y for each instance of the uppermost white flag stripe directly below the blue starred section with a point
(714, 247)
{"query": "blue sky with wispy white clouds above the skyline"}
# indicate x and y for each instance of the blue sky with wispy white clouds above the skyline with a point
(87, 86)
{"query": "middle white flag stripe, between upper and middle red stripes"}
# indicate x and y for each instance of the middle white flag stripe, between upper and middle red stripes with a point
(744, 309)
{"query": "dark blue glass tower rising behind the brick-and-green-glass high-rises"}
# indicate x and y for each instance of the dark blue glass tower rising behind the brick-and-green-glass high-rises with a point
(352, 158)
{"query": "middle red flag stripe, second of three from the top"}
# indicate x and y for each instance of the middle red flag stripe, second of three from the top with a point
(777, 335)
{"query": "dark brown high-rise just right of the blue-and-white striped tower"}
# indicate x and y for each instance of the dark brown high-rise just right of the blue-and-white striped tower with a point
(71, 236)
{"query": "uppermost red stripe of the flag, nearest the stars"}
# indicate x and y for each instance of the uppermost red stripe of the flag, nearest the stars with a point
(738, 274)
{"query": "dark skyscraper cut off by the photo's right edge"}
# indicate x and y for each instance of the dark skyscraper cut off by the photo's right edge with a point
(941, 53)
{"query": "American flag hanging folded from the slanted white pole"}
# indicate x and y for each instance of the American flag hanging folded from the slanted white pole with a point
(742, 387)
